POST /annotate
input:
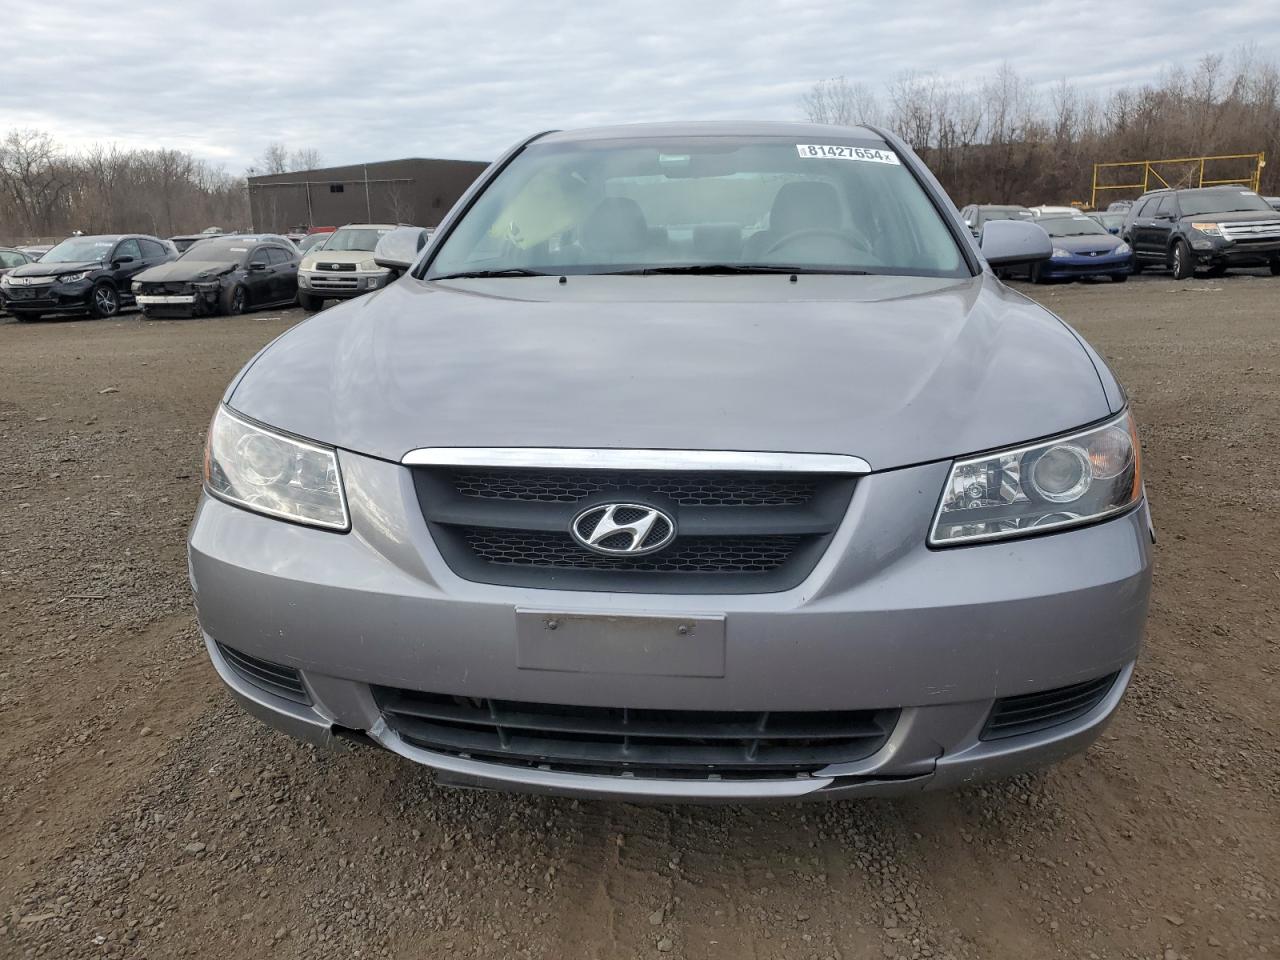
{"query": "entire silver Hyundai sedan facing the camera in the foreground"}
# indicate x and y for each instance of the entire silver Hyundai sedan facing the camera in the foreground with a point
(692, 461)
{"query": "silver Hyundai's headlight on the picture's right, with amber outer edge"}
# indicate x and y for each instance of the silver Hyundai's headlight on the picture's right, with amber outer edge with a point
(1060, 483)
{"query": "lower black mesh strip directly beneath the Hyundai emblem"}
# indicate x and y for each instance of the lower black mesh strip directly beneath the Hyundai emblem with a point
(705, 555)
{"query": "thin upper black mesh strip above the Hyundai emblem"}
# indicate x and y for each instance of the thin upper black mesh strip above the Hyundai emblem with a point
(684, 488)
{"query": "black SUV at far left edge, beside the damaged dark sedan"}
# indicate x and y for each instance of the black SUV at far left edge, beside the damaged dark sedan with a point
(83, 275)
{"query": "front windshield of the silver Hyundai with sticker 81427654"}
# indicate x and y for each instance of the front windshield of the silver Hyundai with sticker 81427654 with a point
(700, 204)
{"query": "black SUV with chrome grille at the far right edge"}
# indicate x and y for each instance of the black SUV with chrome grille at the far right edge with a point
(1214, 227)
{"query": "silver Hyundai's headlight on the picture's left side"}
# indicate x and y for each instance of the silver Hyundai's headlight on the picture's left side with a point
(275, 474)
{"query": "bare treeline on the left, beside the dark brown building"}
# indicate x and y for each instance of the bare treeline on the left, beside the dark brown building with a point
(47, 193)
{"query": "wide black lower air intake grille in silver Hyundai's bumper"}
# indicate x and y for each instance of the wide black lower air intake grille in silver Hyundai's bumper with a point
(641, 743)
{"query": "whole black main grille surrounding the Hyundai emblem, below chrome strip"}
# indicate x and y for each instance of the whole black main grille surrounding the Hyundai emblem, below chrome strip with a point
(734, 532)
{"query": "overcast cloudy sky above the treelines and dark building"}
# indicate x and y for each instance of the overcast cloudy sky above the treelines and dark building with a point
(464, 80)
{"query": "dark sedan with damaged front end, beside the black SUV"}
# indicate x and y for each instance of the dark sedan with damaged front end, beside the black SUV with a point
(222, 276)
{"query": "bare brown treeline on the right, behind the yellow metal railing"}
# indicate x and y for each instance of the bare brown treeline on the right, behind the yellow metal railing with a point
(1007, 140)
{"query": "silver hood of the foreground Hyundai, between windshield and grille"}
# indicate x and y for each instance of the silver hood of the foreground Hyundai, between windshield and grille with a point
(895, 371)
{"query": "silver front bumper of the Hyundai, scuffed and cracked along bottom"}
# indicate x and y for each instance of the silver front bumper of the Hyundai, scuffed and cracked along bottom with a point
(883, 623)
